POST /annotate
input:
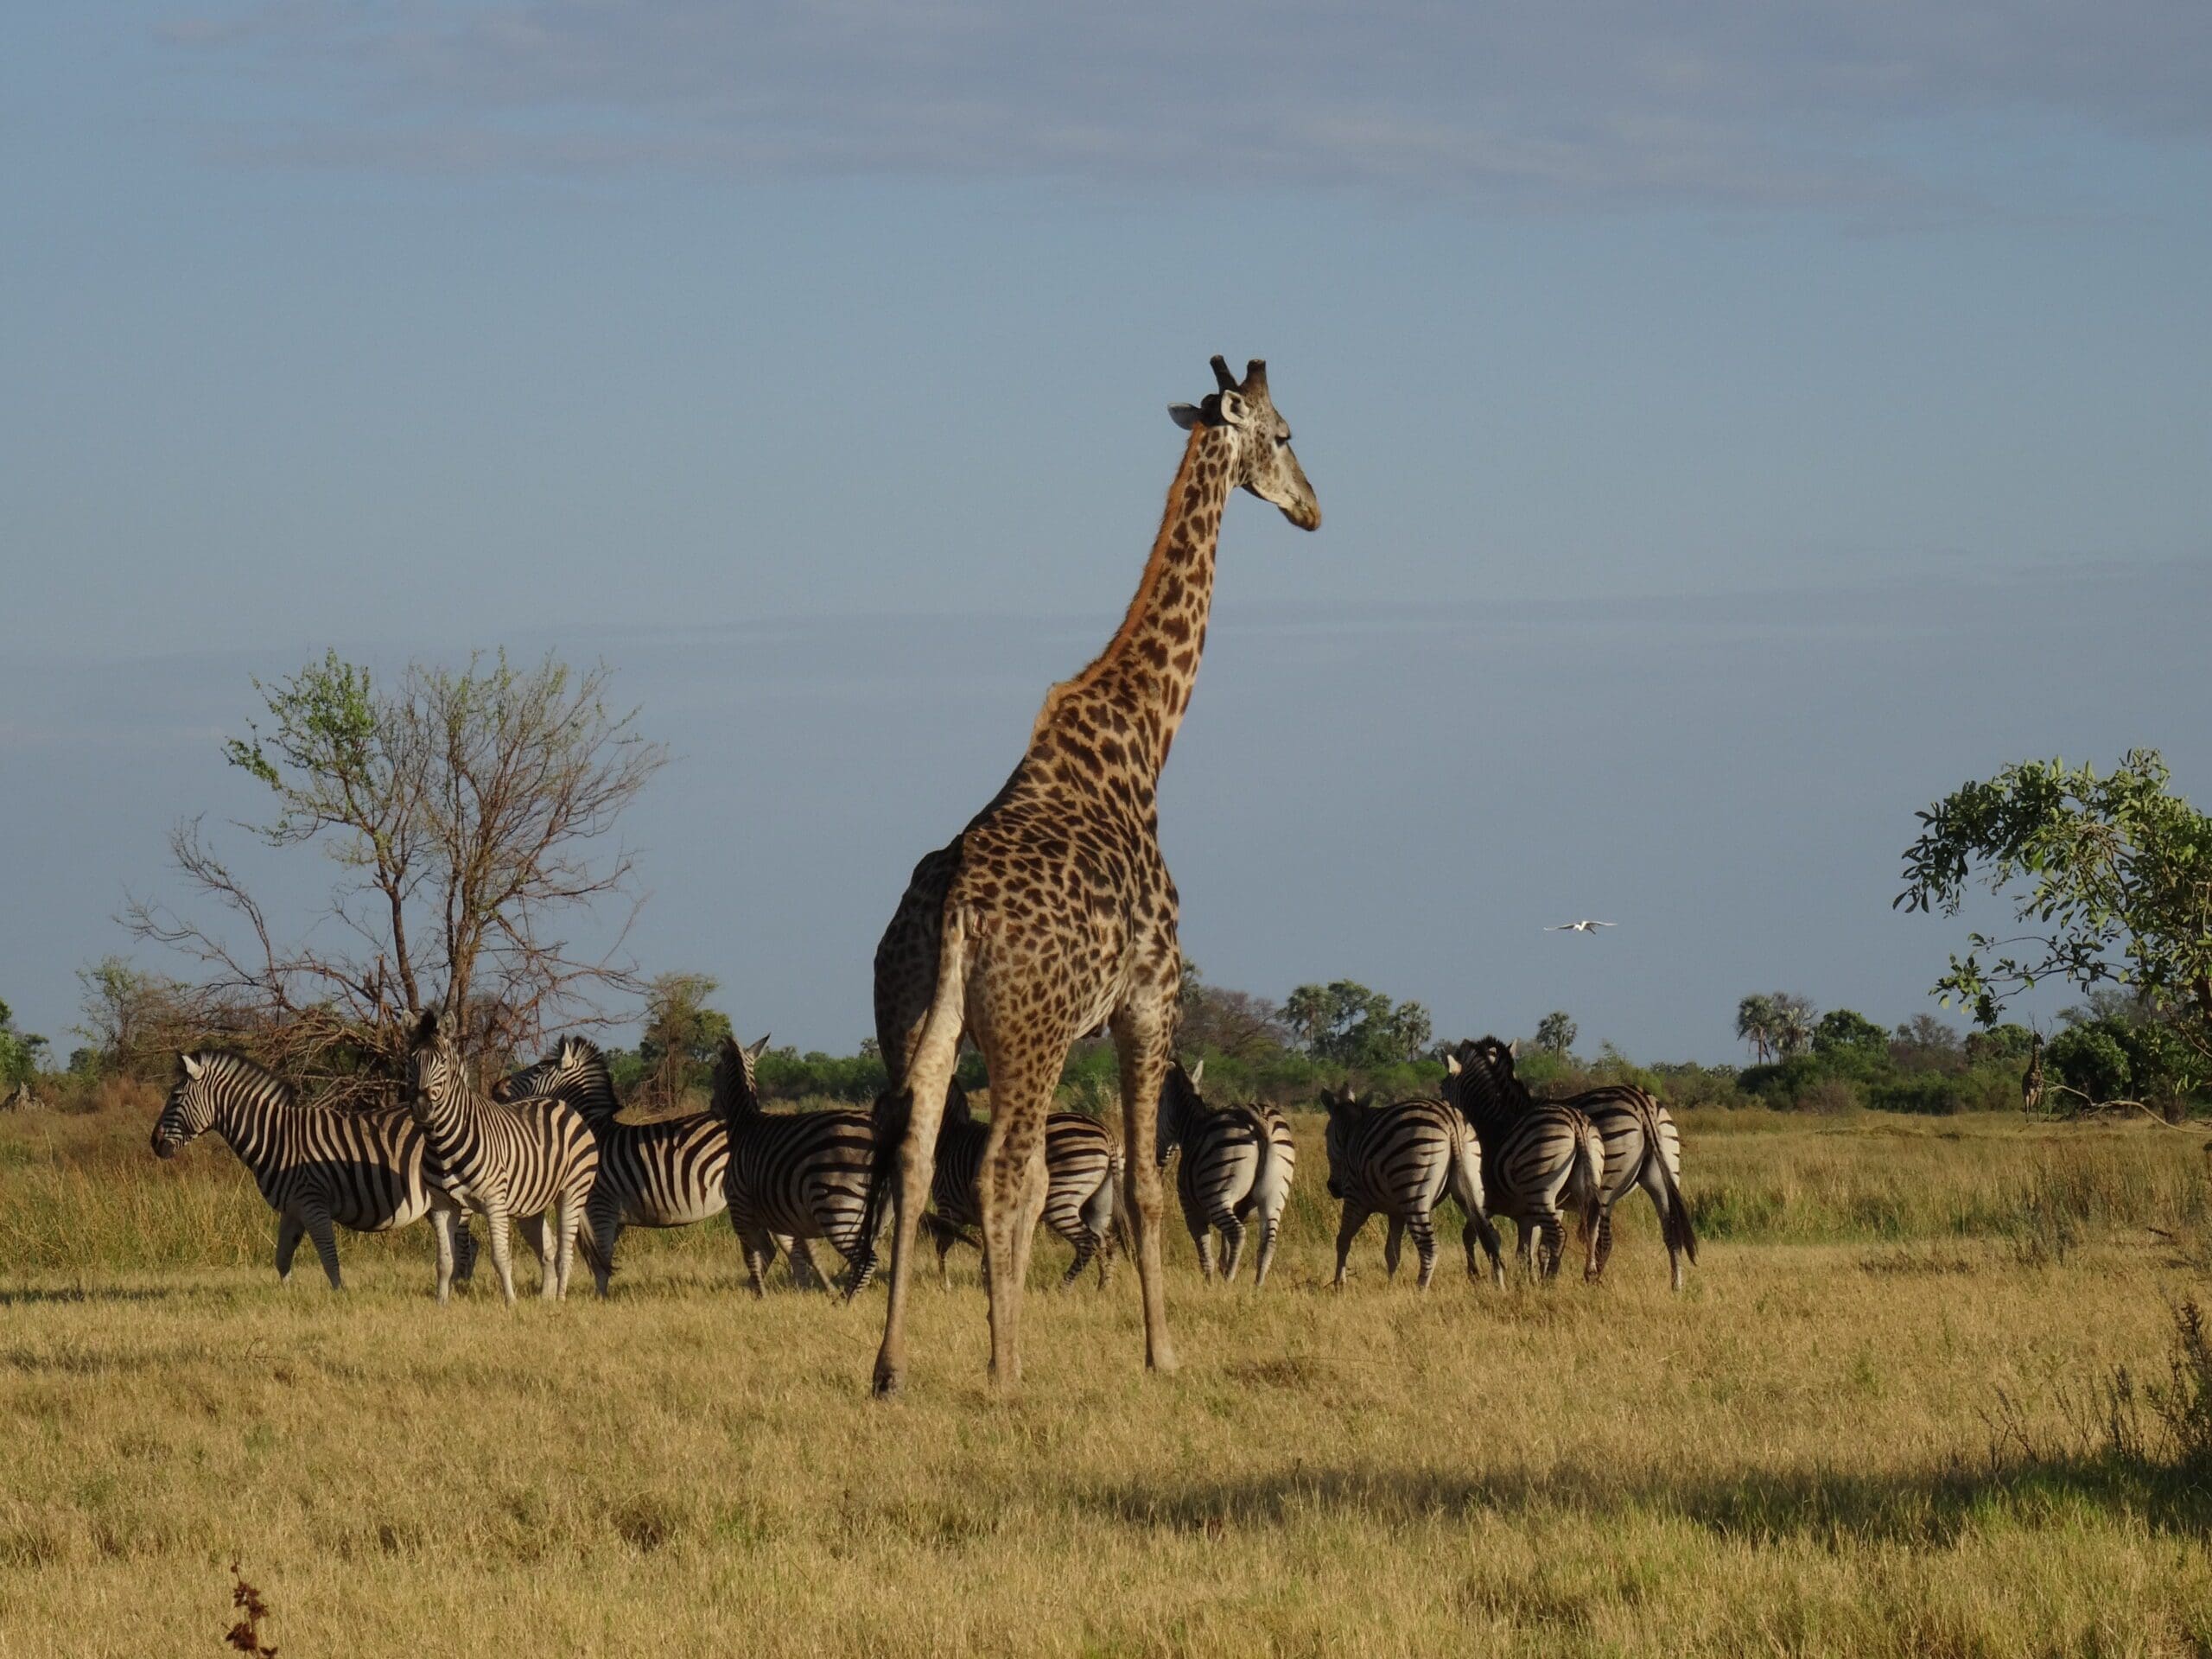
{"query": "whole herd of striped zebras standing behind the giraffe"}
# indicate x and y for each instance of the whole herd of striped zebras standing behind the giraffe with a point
(550, 1154)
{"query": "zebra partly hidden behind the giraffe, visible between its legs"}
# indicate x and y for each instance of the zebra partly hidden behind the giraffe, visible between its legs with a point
(1083, 1200)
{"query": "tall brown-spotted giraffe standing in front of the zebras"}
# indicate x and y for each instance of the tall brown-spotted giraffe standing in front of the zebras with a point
(1054, 912)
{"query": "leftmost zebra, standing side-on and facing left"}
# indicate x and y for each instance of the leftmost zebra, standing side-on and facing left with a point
(315, 1165)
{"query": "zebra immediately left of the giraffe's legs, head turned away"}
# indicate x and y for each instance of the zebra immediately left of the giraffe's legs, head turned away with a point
(795, 1176)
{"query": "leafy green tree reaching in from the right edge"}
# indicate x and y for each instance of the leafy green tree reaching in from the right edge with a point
(2109, 877)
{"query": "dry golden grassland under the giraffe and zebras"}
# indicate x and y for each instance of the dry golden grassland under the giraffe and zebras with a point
(1879, 1423)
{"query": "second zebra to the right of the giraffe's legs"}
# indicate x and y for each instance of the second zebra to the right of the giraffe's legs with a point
(1404, 1160)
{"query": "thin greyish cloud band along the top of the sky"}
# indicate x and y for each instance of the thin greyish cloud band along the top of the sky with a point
(1740, 103)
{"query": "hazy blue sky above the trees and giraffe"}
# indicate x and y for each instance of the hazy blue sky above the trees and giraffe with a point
(1735, 428)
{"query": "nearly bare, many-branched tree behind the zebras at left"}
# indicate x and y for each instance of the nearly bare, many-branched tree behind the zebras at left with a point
(470, 815)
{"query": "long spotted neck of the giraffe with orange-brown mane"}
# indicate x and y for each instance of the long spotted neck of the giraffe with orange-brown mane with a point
(1154, 660)
